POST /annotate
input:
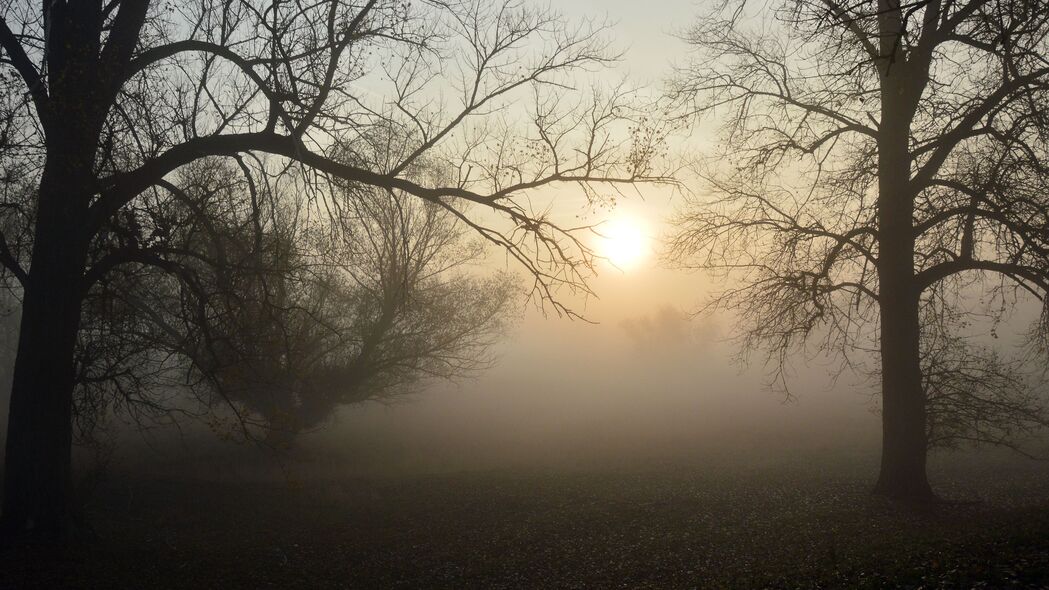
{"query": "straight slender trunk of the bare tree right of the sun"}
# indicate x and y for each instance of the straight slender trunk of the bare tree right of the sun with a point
(904, 448)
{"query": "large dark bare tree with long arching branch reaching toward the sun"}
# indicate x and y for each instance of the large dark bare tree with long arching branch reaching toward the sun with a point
(104, 101)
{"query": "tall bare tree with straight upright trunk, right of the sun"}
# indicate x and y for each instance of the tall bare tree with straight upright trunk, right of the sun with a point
(881, 161)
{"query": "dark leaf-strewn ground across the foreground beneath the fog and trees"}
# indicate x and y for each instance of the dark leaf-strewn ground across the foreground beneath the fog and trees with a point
(797, 524)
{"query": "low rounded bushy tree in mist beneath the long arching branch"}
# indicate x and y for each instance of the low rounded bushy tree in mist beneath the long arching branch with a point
(384, 305)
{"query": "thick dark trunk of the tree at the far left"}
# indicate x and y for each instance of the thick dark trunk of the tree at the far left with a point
(37, 470)
